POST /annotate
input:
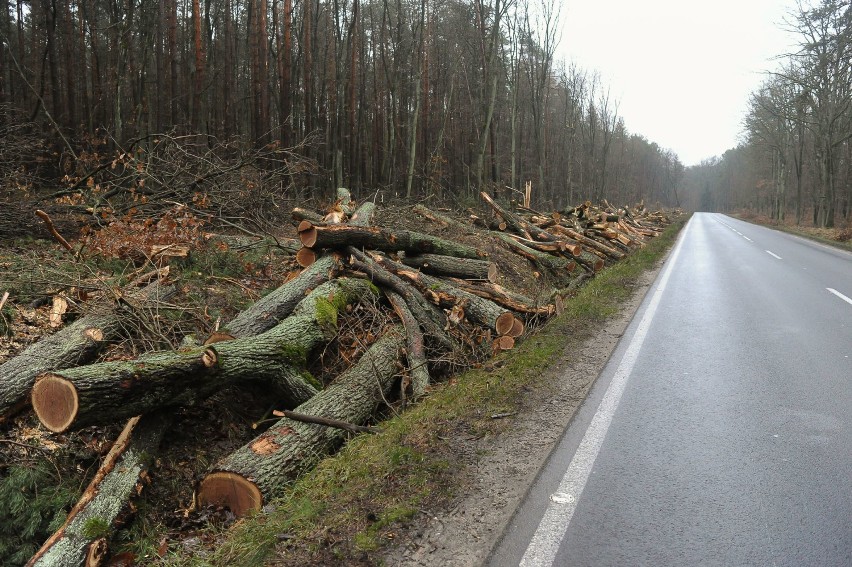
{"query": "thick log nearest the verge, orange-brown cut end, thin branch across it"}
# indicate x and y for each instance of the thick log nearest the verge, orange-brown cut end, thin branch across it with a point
(262, 469)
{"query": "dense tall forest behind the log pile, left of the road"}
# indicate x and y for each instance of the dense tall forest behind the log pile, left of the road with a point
(441, 98)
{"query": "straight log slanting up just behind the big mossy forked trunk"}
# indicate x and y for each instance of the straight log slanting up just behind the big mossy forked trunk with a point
(276, 305)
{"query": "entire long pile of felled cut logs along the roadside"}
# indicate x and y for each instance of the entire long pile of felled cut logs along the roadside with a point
(439, 304)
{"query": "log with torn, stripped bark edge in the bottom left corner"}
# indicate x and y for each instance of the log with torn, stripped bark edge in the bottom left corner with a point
(105, 500)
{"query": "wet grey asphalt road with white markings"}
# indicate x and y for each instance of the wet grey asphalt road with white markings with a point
(720, 432)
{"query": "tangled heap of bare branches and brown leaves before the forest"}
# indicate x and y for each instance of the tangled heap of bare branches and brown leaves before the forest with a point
(226, 178)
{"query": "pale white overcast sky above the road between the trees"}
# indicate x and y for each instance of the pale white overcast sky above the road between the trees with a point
(682, 70)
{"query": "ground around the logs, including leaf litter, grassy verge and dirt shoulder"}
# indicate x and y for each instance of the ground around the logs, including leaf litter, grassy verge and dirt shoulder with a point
(434, 489)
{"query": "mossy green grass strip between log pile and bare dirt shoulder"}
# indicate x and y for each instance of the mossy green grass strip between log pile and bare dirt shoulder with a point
(352, 505)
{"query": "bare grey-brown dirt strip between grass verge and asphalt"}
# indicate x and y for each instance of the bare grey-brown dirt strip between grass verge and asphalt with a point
(502, 467)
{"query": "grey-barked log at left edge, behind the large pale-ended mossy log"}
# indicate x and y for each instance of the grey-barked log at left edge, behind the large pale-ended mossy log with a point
(75, 344)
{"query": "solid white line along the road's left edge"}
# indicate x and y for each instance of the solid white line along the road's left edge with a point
(554, 523)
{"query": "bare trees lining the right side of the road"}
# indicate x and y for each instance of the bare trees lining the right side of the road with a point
(796, 154)
